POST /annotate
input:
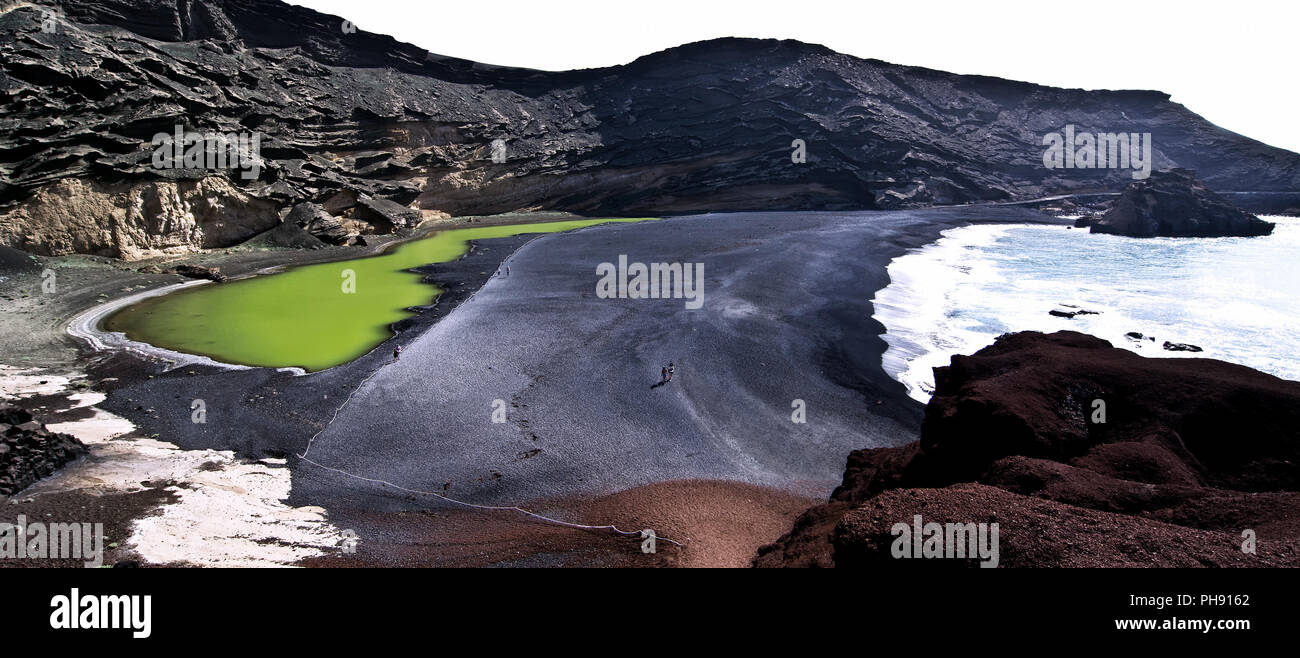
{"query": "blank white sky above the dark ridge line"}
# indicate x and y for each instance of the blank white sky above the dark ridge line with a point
(1230, 62)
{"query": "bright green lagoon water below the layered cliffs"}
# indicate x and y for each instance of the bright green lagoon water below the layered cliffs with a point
(304, 317)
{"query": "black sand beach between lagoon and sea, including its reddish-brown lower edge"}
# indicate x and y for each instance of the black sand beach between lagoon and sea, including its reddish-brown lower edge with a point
(712, 458)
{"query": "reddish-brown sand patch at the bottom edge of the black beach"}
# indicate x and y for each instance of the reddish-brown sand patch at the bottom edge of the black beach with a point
(720, 523)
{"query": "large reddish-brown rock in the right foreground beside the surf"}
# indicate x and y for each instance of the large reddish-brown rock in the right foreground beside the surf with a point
(1191, 453)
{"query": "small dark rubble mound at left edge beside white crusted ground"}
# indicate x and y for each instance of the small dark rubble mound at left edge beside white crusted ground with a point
(29, 452)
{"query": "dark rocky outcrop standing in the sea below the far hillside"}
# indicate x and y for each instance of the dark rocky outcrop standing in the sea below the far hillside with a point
(1176, 205)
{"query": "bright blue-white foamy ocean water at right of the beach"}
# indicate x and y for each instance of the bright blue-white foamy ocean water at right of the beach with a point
(1237, 298)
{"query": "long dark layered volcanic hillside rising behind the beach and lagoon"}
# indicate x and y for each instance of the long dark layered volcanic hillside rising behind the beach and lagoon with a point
(367, 127)
